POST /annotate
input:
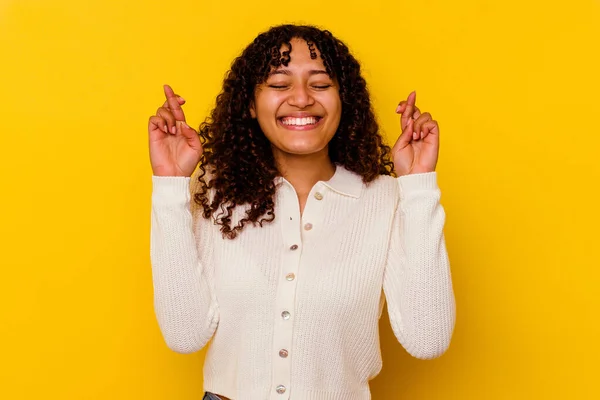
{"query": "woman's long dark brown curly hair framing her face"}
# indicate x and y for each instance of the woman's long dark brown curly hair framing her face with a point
(239, 157)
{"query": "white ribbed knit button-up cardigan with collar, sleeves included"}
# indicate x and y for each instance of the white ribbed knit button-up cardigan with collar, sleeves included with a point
(292, 307)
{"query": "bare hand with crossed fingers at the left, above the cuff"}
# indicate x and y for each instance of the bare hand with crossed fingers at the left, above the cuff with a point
(175, 148)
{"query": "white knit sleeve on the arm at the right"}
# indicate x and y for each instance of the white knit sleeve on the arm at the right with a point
(417, 279)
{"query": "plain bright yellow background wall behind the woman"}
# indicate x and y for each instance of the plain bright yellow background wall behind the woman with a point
(513, 84)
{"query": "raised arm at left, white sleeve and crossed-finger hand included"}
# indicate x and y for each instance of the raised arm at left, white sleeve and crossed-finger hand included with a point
(184, 300)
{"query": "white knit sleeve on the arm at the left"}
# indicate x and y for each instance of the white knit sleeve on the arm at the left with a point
(184, 296)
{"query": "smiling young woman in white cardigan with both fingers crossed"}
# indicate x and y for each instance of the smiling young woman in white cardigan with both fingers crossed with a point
(281, 227)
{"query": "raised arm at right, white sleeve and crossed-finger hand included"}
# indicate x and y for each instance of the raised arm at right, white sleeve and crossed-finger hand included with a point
(417, 280)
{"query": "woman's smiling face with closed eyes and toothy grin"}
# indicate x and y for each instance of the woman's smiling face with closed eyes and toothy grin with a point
(298, 107)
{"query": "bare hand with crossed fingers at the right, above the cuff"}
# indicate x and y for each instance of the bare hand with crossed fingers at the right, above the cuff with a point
(416, 150)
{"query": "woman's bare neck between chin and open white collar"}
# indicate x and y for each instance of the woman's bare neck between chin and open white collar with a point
(303, 171)
